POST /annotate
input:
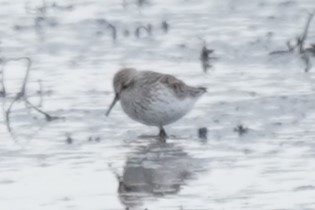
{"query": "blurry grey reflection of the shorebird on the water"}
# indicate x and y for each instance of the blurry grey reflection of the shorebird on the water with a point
(154, 170)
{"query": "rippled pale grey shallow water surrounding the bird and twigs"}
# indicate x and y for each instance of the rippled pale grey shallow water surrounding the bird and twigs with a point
(107, 165)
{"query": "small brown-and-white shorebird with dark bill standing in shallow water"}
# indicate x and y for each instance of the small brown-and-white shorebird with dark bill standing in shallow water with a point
(153, 98)
